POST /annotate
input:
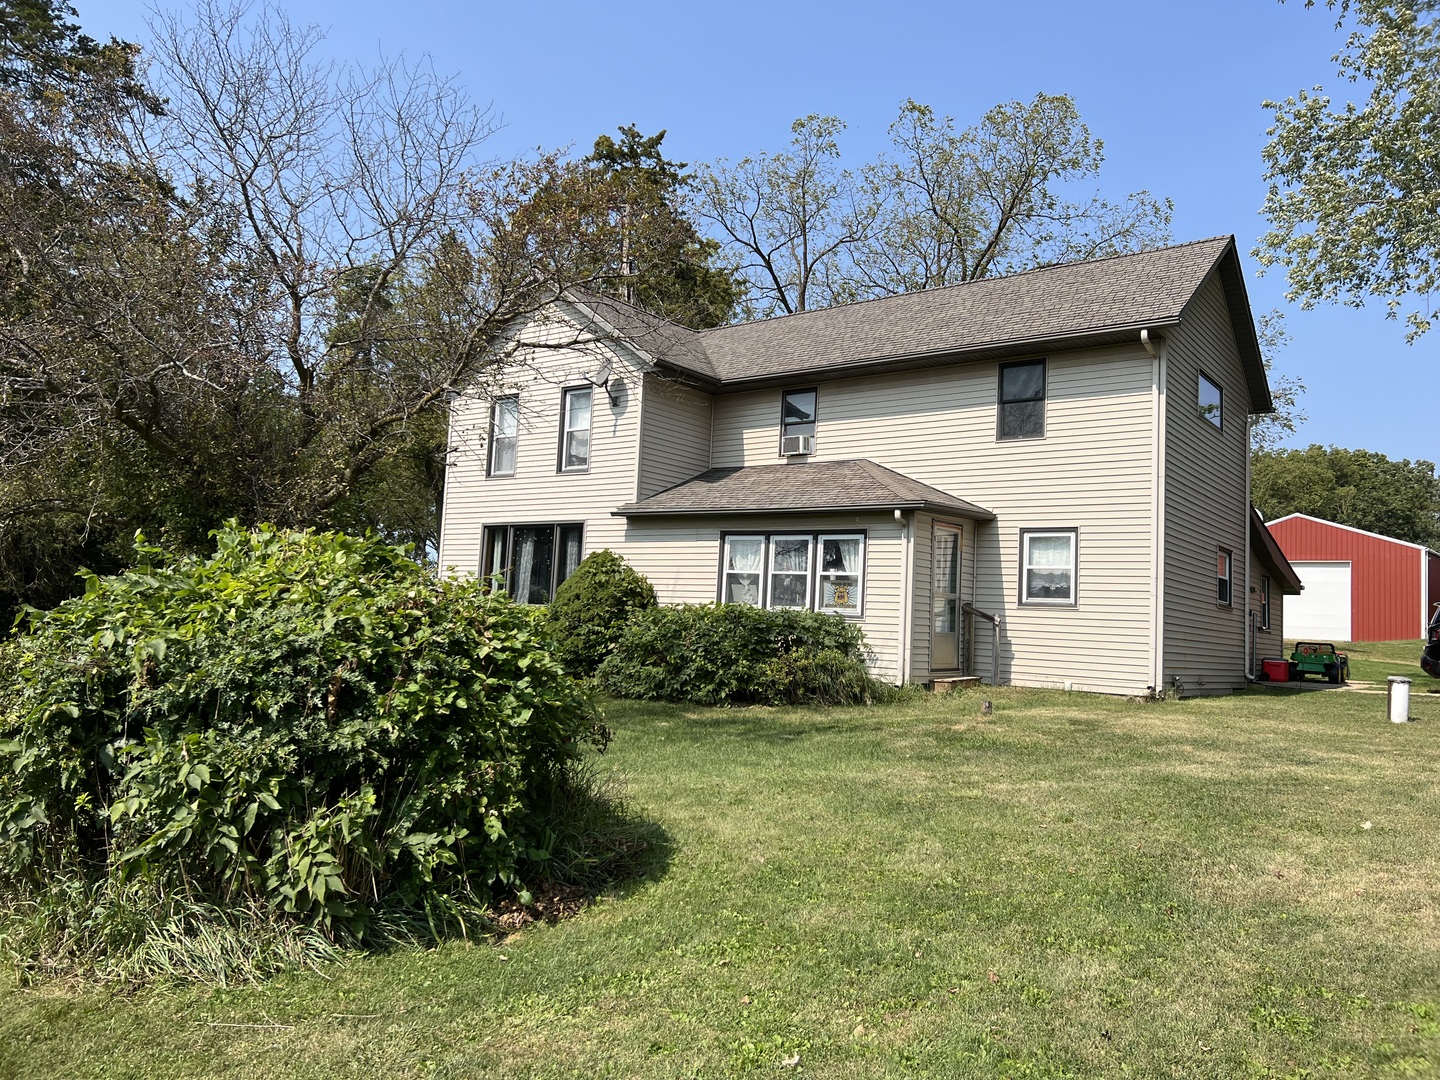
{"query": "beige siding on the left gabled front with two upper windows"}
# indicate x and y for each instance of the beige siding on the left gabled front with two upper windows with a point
(538, 493)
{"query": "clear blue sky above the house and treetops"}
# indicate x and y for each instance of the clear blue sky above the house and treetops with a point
(1174, 91)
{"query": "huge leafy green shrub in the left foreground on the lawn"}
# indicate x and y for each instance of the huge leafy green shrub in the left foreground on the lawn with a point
(310, 728)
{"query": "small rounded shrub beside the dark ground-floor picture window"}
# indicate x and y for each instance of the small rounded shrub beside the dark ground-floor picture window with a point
(593, 608)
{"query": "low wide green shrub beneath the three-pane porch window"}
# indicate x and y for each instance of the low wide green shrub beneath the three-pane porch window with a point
(735, 654)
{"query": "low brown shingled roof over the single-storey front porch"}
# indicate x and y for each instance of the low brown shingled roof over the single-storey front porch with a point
(810, 487)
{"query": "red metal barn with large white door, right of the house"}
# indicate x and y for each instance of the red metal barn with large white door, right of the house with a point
(1359, 587)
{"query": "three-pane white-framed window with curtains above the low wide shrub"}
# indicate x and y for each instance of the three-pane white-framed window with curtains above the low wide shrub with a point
(809, 571)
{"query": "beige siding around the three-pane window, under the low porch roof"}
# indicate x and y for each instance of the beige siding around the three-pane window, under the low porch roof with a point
(682, 559)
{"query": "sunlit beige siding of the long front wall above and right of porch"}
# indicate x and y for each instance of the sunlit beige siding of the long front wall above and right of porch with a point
(1091, 472)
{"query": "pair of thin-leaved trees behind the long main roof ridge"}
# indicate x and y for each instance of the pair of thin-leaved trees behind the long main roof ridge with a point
(951, 205)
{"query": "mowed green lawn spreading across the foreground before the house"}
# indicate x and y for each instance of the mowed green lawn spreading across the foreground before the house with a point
(1075, 886)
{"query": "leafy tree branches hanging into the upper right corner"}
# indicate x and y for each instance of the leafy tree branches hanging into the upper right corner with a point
(1354, 191)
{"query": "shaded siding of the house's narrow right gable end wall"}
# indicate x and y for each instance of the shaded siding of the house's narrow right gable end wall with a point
(1206, 502)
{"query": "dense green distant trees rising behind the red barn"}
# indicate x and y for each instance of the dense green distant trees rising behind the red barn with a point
(1359, 489)
